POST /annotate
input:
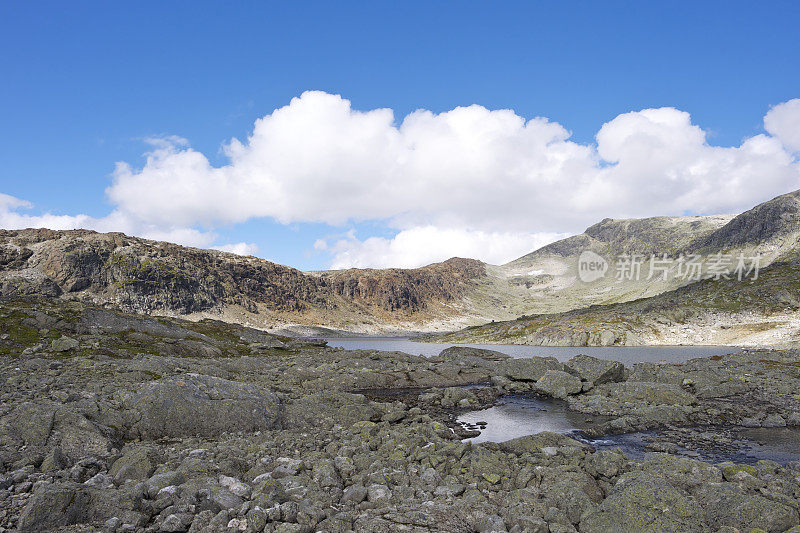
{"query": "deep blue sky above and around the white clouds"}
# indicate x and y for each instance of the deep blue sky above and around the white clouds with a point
(85, 83)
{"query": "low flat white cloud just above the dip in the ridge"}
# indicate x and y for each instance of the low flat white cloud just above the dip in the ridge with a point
(424, 245)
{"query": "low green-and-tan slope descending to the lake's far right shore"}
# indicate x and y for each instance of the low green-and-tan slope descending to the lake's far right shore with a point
(757, 312)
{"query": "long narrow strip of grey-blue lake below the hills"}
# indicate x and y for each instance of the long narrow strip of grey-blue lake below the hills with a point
(626, 355)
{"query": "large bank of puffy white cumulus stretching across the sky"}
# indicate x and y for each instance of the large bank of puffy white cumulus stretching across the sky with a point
(470, 181)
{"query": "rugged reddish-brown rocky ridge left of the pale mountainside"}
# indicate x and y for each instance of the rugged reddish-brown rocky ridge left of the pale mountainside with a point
(146, 276)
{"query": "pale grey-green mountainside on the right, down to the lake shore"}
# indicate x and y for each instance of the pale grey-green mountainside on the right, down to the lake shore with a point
(656, 310)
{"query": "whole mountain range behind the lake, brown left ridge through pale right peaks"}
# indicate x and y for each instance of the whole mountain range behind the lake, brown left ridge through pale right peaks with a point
(539, 298)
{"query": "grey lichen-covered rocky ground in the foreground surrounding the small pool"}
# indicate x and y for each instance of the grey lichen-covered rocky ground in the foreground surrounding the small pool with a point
(138, 424)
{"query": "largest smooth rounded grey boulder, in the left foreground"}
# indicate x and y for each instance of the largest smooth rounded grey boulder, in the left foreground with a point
(194, 404)
